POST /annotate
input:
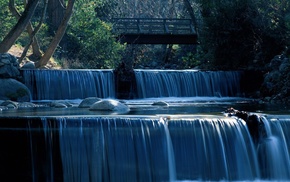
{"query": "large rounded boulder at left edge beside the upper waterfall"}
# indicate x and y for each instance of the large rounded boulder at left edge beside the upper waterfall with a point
(12, 89)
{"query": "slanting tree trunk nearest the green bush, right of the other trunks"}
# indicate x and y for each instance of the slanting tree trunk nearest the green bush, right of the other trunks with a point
(58, 36)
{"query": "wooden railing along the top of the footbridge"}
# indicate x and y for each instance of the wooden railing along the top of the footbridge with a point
(152, 26)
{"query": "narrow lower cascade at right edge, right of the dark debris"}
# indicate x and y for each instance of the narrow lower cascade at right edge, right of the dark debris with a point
(274, 147)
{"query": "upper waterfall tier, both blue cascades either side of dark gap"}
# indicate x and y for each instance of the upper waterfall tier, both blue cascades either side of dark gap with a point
(80, 84)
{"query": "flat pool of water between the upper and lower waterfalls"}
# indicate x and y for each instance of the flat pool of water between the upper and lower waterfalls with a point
(176, 106)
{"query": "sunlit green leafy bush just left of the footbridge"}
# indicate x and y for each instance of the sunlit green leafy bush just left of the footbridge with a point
(92, 42)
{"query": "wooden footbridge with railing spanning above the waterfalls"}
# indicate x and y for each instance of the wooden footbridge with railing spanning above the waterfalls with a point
(154, 31)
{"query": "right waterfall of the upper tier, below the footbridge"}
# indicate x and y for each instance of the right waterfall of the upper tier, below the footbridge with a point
(187, 83)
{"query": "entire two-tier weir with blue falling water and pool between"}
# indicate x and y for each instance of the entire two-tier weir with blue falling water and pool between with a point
(186, 140)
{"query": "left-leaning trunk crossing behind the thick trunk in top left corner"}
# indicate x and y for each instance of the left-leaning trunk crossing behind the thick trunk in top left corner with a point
(35, 46)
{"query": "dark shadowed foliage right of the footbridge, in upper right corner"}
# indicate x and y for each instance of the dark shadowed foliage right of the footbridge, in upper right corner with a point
(236, 32)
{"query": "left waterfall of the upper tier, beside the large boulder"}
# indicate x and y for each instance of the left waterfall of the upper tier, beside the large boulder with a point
(69, 84)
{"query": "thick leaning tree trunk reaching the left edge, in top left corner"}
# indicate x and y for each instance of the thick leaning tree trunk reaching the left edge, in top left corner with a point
(20, 26)
